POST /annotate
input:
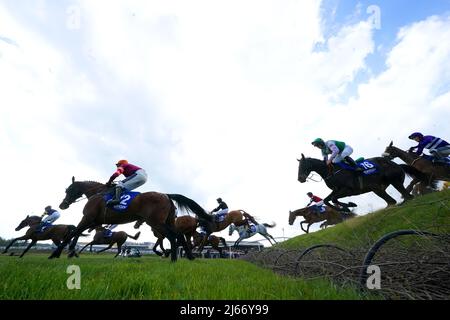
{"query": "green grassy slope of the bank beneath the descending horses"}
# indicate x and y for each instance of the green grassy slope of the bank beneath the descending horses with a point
(426, 213)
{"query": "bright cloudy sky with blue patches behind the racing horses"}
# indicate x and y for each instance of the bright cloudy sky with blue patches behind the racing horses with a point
(212, 98)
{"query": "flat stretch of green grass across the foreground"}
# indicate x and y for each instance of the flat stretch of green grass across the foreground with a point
(102, 277)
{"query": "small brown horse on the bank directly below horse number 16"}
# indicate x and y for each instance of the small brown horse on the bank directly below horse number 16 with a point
(330, 216)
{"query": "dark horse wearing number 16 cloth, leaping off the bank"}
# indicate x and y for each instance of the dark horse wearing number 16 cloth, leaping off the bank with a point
(345, 183)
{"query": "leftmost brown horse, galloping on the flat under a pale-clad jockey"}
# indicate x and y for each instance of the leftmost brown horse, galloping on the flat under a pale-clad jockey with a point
(56, 233)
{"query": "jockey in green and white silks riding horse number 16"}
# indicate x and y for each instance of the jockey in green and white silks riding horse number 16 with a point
(338, 151)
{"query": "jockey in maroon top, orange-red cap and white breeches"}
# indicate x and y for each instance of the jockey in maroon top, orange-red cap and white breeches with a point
(135, 177)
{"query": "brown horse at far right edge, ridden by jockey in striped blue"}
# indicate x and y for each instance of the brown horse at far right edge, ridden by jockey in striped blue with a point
(426, 171)
